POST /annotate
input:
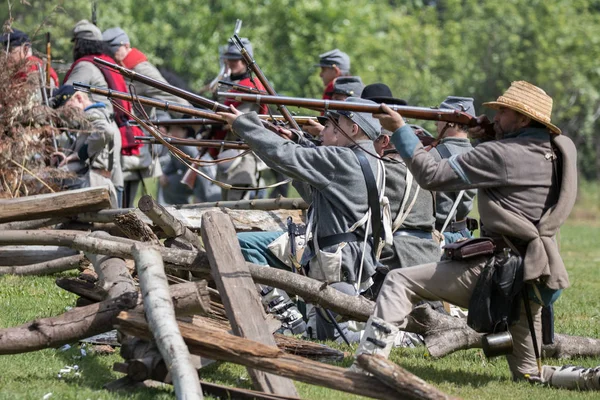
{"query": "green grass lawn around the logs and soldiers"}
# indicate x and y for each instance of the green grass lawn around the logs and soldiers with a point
(466, 374)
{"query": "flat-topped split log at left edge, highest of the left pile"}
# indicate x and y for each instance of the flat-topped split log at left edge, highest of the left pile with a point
(54, 205)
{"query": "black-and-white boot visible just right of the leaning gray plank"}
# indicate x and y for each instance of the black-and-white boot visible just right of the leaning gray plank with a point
(278, 303)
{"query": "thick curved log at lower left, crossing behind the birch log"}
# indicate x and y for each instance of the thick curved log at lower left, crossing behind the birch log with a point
(83, 322)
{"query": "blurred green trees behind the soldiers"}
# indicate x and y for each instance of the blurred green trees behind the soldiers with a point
(424, 50)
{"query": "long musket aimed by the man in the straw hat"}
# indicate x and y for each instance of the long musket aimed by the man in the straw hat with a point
(424, 113)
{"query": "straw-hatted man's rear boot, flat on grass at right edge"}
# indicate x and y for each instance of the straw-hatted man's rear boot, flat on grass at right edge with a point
(572, 377)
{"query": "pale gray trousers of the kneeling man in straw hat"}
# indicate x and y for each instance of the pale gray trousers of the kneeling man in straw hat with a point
(453, 282)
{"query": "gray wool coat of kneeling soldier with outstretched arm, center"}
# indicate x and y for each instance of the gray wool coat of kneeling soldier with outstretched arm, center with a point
(333, 179)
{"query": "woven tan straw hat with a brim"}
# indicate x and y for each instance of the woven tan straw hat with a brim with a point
(529, 100)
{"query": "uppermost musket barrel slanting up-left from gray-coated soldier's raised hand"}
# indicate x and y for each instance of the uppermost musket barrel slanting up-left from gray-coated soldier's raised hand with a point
(193, 98)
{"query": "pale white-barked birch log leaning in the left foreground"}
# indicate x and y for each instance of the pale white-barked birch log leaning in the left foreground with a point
(161, 319)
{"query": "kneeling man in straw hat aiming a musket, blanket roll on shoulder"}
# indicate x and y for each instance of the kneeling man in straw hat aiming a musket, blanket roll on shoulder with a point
(527, 182)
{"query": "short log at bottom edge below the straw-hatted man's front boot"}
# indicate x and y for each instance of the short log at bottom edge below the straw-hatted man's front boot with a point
(409, 386)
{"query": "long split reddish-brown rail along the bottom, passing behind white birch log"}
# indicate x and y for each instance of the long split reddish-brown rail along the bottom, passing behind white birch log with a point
(215, 344)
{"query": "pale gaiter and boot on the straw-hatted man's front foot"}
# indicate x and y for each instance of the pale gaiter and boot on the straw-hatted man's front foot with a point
(378, 338)
